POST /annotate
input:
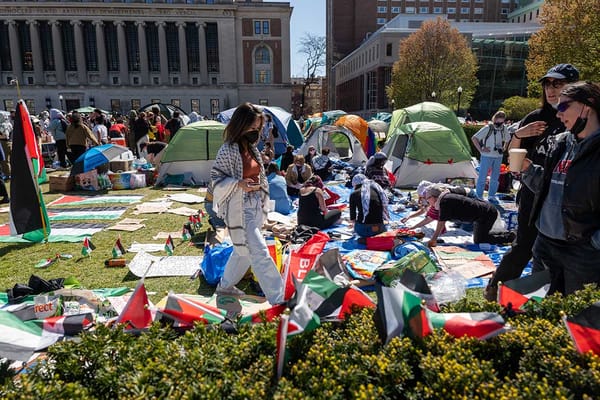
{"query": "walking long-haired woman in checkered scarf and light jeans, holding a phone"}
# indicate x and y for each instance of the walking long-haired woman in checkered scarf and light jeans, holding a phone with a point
(240, 198)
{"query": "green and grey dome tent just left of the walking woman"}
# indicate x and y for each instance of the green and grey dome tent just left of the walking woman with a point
(191, 153)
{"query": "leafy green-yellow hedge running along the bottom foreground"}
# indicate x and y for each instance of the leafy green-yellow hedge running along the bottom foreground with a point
(534, 360)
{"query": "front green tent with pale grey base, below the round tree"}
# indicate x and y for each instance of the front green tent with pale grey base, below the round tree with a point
(428, 151)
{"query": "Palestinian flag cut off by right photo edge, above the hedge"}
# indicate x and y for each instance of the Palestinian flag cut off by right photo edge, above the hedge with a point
(584, 329)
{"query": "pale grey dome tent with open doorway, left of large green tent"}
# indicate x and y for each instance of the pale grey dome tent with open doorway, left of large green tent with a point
(340, 140)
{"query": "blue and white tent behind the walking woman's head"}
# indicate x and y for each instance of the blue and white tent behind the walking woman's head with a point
(289, 131)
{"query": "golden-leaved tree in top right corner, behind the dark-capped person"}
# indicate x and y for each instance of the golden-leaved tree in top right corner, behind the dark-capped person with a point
(570, 34)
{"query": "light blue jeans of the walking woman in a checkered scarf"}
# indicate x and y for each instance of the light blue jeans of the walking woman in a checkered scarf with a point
(256, 254)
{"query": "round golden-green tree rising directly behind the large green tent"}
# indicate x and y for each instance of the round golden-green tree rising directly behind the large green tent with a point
(435, 59)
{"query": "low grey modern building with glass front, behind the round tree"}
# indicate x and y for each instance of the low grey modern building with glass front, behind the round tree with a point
(501, 49)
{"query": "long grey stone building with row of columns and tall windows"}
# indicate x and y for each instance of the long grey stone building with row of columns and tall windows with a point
(201, 55)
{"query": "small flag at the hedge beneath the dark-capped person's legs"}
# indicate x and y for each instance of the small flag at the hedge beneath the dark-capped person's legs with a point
(515, 293)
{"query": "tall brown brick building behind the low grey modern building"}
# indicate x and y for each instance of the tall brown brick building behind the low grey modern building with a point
(351, 22)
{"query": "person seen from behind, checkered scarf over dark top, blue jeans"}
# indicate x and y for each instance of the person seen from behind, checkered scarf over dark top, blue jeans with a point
(368, 207)
